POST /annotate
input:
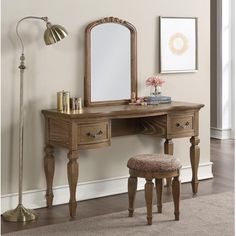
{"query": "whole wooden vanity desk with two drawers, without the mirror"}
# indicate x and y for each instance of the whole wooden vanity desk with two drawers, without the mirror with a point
(94, 127)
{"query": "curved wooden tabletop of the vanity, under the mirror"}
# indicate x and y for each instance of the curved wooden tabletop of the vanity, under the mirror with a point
(119, 111)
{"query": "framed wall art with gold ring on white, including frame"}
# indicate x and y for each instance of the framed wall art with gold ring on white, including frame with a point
(178, 44)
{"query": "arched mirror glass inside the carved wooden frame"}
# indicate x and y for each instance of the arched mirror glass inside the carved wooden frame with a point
(110, 63)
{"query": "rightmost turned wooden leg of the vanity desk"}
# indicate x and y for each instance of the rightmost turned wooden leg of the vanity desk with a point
(194, 158)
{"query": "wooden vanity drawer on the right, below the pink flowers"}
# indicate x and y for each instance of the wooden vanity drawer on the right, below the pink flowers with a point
(181, 125)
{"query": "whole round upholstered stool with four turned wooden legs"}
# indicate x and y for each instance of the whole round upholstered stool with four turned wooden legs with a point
(154, 166)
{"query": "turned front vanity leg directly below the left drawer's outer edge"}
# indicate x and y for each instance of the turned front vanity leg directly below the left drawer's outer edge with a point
(72, 172)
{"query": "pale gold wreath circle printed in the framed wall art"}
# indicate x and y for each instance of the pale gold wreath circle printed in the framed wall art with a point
(178, 44)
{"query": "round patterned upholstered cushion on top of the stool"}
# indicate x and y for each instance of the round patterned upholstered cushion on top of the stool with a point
(154, 163)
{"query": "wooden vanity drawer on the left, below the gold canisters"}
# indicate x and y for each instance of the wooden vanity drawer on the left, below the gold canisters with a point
(94, 135)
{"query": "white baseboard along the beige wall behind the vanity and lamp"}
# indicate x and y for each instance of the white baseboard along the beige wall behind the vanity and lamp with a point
(94, 189)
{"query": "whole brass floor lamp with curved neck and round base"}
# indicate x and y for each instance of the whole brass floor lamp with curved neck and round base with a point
(52, 34)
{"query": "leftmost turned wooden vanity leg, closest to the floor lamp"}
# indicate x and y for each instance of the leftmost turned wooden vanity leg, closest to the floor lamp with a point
(49, 167)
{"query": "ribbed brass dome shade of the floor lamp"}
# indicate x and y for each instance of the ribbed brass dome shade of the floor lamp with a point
(54, 33)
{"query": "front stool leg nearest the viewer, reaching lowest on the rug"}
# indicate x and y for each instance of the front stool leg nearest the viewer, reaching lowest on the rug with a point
(148, 198)
